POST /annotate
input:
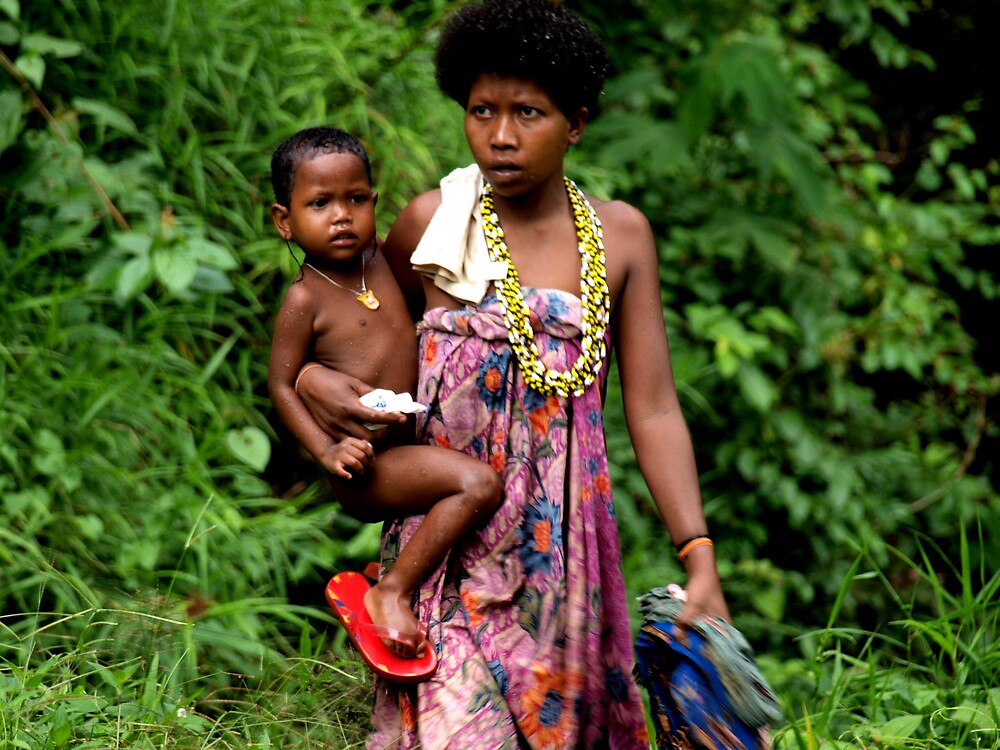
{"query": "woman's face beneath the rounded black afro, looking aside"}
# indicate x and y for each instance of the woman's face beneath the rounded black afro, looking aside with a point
(517, 134)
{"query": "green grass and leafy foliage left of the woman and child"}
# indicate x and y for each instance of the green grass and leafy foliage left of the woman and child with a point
(152, 552)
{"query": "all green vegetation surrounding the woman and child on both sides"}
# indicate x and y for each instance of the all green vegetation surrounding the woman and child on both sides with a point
(828, 222)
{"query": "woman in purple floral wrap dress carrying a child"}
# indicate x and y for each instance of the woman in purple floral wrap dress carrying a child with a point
(527, 283)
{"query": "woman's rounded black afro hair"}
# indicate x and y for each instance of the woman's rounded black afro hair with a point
(532, 39)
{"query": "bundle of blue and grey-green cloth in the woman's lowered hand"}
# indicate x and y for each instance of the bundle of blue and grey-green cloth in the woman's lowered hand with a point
(705, 688)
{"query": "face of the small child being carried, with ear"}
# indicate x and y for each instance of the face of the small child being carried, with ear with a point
(332, 211)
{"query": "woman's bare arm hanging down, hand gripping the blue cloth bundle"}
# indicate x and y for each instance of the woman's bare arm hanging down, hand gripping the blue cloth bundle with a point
(653, 414)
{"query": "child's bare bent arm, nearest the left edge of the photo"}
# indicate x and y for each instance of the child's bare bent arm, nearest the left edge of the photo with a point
(291, 347)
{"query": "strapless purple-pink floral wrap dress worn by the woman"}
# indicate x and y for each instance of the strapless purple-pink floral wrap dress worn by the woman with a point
(529, 617)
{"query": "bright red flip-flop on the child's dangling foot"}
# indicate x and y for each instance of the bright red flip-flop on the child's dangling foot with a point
(346, 594)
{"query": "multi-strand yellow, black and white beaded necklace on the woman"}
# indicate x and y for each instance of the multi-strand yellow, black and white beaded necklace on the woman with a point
(594, 297)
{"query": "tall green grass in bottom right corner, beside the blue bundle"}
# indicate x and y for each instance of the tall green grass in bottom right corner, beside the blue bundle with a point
(927, 677)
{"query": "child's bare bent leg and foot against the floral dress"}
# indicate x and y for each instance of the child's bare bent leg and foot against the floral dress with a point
(456, 491)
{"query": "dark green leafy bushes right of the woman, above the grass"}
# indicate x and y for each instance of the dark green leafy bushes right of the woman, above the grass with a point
(815, 299)
